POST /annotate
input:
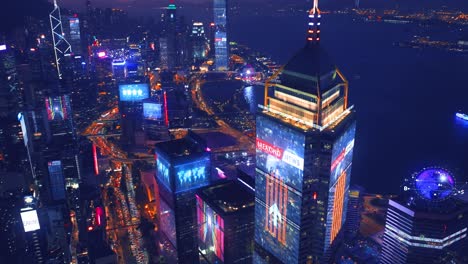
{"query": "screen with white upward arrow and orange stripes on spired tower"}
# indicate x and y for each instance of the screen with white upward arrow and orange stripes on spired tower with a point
(277, 217)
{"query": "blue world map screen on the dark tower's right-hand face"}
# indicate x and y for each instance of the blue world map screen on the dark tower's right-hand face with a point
(192, 175)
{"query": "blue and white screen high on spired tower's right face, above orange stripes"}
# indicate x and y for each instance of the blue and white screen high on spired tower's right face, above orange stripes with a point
(342, 153)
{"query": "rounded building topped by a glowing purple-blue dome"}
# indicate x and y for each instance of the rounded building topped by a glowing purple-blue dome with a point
(427, 224)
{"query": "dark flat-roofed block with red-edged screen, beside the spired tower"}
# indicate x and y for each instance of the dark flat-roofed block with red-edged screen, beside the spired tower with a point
(225, 219)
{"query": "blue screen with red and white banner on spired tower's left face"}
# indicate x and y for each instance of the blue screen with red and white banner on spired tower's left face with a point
(280, 151)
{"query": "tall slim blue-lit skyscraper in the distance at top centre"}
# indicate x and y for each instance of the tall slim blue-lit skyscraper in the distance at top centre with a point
(221, 43)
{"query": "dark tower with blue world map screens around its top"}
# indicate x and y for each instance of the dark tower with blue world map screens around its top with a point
(182, 167)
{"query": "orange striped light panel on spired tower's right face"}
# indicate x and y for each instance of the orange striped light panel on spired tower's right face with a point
(338, 201)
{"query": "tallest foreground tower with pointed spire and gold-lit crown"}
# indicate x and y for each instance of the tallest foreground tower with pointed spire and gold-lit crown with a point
(305, 140)
